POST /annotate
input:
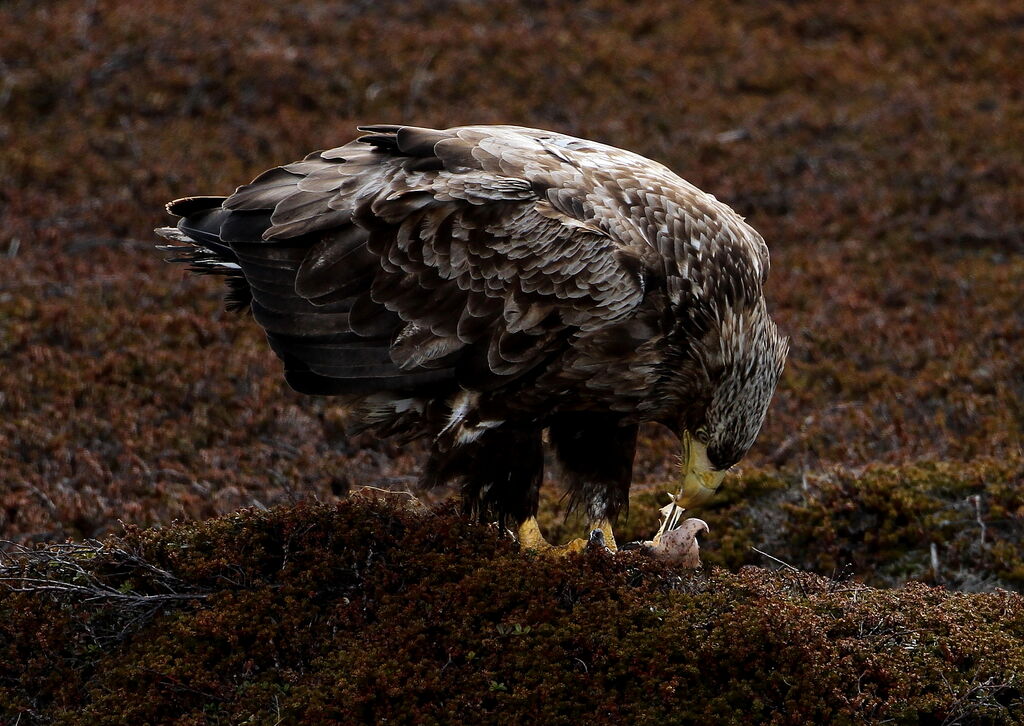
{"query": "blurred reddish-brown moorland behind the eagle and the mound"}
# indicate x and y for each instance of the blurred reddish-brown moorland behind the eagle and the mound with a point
(877, 147)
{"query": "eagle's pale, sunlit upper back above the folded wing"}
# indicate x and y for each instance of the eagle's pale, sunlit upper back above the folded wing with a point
(636, 201)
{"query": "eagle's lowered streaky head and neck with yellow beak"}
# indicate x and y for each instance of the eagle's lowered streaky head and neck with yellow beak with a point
(736, 356)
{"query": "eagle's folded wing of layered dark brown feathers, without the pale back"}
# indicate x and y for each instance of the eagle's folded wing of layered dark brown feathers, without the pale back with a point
(438, 260)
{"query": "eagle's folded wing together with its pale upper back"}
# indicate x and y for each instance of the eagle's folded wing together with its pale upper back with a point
(496, 245)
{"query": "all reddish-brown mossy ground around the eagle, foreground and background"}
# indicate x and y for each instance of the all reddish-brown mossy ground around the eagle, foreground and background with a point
(876, 146)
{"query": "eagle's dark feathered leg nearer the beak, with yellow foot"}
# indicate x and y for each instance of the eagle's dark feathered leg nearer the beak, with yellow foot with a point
(596, 454)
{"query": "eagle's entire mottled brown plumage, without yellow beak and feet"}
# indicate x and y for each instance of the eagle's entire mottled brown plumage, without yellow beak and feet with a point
(481, 284)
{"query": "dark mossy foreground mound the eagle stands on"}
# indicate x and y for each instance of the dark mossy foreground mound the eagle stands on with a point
(371, 613)
